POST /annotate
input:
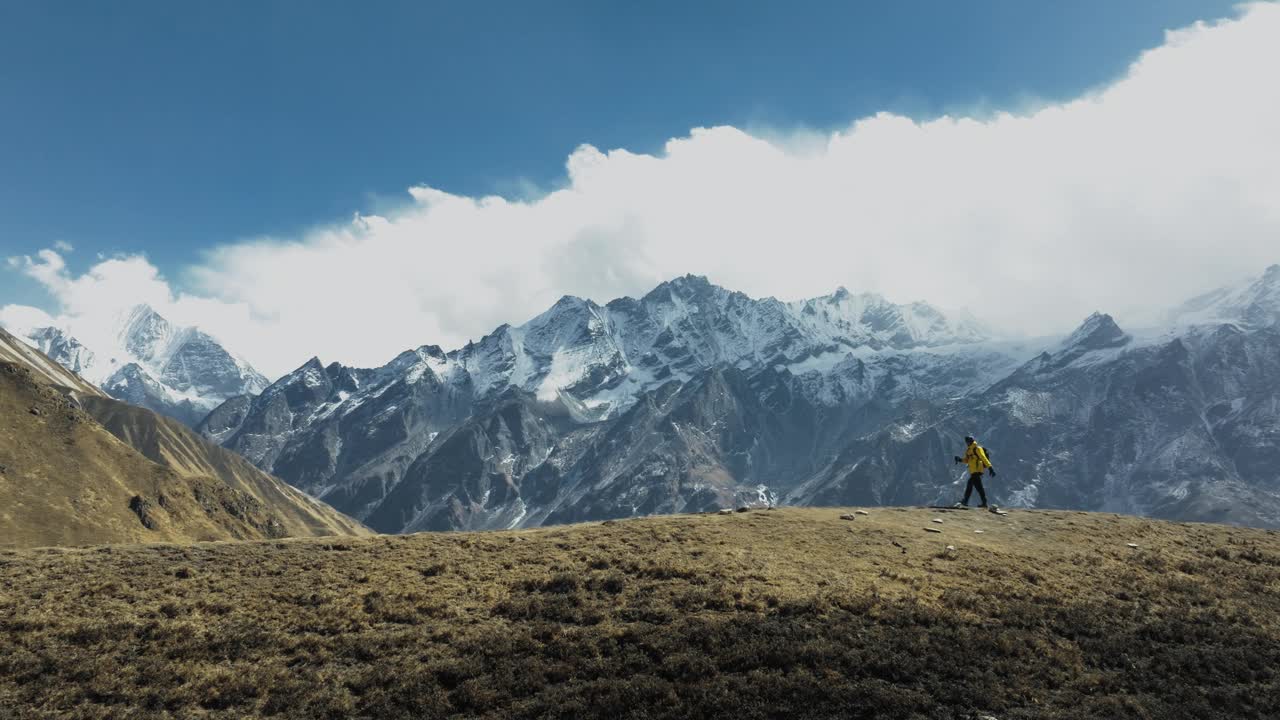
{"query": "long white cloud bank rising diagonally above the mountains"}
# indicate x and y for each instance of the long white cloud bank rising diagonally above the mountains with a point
(1131, 199)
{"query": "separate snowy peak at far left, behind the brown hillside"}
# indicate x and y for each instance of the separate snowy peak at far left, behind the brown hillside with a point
(147, 361)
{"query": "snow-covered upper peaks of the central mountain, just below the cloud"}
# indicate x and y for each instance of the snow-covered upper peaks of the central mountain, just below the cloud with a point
(605, 357)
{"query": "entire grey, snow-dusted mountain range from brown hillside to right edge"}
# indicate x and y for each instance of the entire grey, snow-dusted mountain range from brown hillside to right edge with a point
(696, 398)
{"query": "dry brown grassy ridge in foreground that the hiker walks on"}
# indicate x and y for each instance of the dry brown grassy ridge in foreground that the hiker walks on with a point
(765, 614)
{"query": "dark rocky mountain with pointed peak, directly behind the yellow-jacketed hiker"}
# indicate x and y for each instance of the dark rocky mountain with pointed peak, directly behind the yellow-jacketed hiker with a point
(1185, 426)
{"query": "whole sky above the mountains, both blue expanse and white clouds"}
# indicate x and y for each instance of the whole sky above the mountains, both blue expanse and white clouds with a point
(354, 180)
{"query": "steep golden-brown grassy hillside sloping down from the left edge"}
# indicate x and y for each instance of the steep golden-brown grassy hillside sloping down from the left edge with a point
(80, 468)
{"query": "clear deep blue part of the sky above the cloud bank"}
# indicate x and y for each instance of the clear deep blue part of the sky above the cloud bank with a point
(168, 127)
